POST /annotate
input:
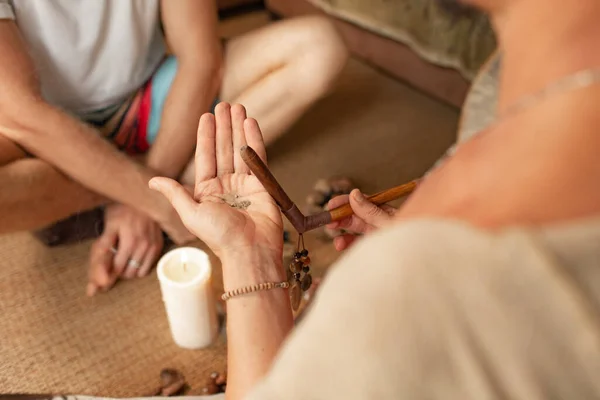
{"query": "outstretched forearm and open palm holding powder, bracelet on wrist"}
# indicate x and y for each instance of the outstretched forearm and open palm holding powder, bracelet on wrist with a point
(233, 214)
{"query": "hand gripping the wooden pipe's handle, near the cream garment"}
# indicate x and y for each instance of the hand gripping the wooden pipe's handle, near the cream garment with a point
(367, 217)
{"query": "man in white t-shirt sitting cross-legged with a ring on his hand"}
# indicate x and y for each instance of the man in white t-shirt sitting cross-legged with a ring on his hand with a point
(72, 72)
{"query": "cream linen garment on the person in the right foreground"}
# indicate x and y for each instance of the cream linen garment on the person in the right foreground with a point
(439, 310)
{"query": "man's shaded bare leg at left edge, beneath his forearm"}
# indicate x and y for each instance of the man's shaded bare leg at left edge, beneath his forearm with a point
(33, 194)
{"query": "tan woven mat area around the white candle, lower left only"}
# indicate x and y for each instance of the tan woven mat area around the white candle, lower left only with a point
(54, 339)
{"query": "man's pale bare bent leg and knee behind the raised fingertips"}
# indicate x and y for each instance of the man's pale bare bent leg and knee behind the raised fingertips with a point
(278, 71)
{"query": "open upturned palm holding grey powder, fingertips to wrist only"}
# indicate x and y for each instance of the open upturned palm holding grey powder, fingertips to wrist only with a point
(230, 210)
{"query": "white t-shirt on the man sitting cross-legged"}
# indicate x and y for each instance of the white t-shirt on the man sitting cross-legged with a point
(89, 54)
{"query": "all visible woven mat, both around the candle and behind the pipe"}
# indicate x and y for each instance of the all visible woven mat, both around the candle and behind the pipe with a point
(54, 339)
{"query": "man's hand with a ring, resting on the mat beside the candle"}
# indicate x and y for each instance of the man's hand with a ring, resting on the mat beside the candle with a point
(138, 241)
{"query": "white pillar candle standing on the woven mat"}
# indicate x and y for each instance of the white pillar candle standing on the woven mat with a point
(185, 282)
